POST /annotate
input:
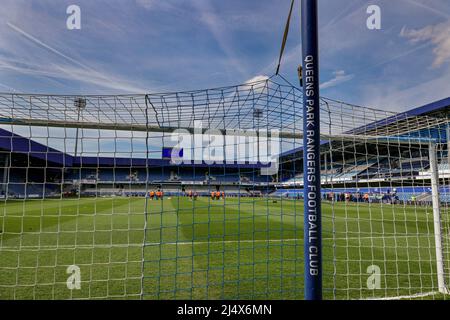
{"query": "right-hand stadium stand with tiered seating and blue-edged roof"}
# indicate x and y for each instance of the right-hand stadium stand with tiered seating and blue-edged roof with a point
(394, 166)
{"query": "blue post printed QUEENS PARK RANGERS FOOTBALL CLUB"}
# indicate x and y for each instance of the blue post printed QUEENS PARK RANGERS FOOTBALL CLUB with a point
(311, 154)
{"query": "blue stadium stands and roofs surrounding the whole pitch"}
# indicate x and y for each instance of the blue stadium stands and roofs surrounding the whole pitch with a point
(35, 170)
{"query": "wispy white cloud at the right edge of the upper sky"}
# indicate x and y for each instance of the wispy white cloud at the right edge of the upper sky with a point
(438, 35)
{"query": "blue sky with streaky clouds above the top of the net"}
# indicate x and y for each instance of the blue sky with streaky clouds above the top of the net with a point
(140, 46)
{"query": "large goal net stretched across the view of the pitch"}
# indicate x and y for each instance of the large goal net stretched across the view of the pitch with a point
(199, 195)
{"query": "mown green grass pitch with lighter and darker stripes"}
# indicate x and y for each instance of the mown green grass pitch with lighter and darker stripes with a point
(237, 249)
